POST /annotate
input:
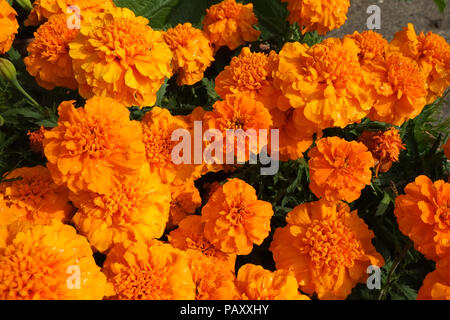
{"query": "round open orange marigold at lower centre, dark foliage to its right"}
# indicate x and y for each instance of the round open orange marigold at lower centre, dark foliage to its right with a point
(235, 219)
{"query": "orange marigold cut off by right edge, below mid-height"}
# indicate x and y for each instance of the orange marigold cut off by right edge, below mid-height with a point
(423, 214)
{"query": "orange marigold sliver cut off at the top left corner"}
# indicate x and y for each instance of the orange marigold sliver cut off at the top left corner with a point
(8, 25)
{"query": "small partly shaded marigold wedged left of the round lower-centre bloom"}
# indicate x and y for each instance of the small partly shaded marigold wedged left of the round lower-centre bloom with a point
(185, 201)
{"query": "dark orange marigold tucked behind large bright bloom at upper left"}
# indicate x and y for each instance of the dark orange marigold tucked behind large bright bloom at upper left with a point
(48, 60)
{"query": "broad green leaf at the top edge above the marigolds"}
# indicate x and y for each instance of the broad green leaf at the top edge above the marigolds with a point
(156, 11)
